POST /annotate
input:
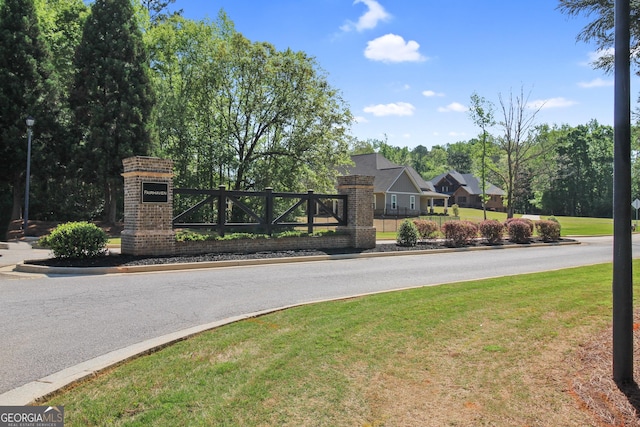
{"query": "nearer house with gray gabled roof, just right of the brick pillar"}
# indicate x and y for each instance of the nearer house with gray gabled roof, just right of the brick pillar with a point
(397, 190)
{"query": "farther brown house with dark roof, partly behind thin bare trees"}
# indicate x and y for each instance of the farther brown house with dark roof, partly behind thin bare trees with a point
(465, 190)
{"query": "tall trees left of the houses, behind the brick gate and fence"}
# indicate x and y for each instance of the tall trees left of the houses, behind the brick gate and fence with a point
(118, 78)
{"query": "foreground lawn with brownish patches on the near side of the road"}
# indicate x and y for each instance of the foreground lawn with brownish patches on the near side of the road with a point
(490, 352)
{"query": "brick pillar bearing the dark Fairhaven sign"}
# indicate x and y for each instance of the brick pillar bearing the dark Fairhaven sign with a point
(148, 206)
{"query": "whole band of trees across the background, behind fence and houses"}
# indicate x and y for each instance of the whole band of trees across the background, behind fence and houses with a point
(117, 78)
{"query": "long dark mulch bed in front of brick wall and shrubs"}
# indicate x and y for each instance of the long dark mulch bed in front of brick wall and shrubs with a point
(115, 260)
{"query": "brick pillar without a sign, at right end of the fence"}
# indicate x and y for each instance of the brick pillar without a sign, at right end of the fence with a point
(359, 191)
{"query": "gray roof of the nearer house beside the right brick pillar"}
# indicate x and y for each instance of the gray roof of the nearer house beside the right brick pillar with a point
(385, 172)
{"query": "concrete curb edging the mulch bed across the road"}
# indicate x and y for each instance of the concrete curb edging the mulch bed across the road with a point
(41, 269)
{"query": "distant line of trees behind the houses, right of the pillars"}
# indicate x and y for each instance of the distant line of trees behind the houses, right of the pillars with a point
(572, 175)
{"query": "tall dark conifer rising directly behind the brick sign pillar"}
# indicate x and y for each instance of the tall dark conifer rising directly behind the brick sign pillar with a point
(112, 97)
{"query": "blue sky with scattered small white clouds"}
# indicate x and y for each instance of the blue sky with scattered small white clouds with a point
(407, 68)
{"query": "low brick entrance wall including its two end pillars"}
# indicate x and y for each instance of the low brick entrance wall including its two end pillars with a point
(148, 228)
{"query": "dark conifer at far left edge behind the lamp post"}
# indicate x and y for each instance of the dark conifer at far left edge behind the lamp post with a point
(27, 87)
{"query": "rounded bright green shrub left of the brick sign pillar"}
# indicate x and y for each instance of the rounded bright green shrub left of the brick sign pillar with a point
(76, 240)
